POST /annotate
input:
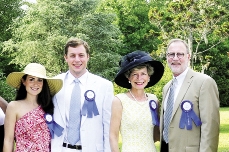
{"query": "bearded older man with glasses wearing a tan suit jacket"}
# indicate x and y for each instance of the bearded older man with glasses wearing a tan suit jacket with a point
(190, 108)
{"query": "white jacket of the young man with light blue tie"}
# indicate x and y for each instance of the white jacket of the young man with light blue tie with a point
(94, 132)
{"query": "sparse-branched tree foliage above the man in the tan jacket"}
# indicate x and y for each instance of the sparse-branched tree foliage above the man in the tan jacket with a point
(194, 21)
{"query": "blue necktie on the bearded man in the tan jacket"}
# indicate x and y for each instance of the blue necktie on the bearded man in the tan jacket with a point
(169, 110)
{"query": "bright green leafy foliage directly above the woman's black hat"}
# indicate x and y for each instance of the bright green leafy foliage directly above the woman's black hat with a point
(133, 23)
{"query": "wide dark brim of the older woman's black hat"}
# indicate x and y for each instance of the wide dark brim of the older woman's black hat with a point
(122, 81)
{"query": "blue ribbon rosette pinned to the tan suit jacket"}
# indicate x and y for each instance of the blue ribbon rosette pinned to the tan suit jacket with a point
(188, 115)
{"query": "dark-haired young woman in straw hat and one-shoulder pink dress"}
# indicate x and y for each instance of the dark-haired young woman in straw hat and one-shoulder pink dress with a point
(25, 121)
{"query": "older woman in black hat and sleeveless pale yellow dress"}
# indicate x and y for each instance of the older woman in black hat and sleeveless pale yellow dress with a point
(134, 113)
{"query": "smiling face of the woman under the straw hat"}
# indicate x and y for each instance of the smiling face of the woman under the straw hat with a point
(33, 85)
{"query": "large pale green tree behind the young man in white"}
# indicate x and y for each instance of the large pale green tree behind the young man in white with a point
(50, 23)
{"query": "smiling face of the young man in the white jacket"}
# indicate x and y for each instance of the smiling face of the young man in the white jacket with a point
(77, 60)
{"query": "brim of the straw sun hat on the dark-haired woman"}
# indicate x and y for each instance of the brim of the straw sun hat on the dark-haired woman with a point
(14, 80)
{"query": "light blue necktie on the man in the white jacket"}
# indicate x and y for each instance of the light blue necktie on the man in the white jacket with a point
(74, 115)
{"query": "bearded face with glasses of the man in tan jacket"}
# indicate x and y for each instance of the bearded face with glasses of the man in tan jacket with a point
(177, 57)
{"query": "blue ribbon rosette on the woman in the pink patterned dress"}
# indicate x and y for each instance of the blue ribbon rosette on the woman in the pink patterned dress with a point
(54, 128)
